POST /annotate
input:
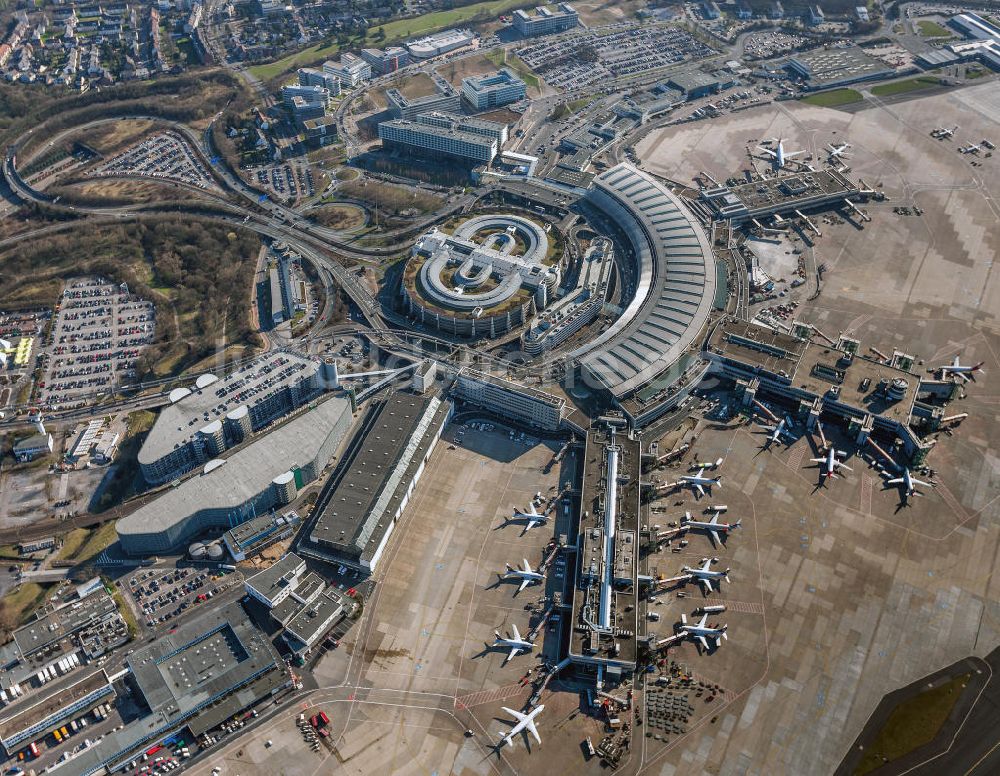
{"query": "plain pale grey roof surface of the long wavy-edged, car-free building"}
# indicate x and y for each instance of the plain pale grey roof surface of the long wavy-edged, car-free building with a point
(245, 473)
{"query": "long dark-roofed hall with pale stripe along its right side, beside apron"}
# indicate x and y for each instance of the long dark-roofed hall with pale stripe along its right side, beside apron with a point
(365, 497)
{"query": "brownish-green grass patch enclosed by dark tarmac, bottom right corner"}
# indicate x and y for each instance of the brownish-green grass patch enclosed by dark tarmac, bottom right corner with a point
(913, 723)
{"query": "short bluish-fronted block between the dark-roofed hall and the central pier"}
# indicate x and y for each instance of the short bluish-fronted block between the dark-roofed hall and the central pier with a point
(521, 403)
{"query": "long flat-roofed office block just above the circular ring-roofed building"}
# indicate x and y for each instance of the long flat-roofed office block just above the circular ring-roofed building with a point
(441, 135)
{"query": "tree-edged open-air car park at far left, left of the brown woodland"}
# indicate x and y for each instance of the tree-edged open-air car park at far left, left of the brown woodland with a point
(99, 331)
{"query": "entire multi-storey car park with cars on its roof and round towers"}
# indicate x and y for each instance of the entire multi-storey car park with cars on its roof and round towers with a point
(206, 419)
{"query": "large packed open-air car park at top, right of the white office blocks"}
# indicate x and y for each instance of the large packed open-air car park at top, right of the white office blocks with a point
(626, 50)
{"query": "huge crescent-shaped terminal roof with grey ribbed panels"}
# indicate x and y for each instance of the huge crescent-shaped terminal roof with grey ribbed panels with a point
(675, 286)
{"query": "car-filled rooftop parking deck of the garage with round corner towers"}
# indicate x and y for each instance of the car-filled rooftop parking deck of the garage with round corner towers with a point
(181, 420)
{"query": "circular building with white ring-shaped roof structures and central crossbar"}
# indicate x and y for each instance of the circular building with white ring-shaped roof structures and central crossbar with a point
(484, 280)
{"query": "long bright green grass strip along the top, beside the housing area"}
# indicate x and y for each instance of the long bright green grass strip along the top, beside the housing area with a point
(394, 31)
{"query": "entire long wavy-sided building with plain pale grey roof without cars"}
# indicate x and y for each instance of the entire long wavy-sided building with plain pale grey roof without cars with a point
(261, 476)
